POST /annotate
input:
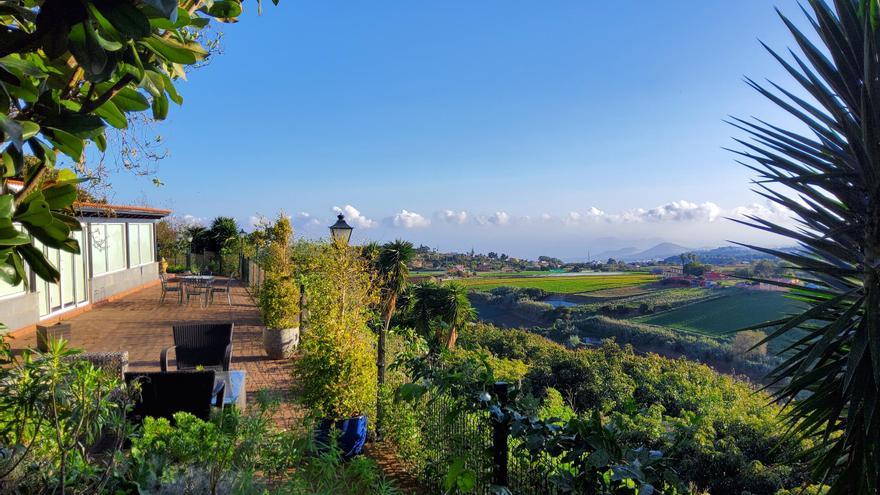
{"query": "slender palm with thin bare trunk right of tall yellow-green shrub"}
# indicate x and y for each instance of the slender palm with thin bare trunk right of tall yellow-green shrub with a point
(393, 268)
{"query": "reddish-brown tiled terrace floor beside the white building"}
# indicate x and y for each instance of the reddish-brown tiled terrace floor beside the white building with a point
(141, 325)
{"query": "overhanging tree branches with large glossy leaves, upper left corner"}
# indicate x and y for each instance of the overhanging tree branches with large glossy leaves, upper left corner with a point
(68, 70)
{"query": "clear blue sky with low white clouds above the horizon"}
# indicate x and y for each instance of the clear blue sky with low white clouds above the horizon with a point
(528, 117)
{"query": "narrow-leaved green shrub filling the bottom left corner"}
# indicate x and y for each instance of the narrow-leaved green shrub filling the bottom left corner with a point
(54, 411)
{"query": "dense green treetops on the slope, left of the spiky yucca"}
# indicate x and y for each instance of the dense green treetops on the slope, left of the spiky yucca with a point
(723, 436)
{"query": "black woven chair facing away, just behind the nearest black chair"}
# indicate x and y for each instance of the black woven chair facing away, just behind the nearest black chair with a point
(208, 345)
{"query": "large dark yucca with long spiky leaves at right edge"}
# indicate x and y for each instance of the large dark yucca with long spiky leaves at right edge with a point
(830, 180)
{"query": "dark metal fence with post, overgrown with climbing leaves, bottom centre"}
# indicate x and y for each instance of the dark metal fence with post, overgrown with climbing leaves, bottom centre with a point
(451, 431)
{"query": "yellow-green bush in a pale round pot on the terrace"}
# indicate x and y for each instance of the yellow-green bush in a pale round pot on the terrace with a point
(279, 304)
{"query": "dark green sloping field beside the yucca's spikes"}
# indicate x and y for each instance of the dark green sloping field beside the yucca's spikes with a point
(718, 317)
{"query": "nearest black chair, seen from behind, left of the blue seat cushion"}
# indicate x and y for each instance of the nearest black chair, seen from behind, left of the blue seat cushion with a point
(164, 393)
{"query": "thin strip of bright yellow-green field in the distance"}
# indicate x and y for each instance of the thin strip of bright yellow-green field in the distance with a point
(562, 285)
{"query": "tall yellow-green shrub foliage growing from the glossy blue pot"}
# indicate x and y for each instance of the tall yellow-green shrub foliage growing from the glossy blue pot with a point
(337, 362)
